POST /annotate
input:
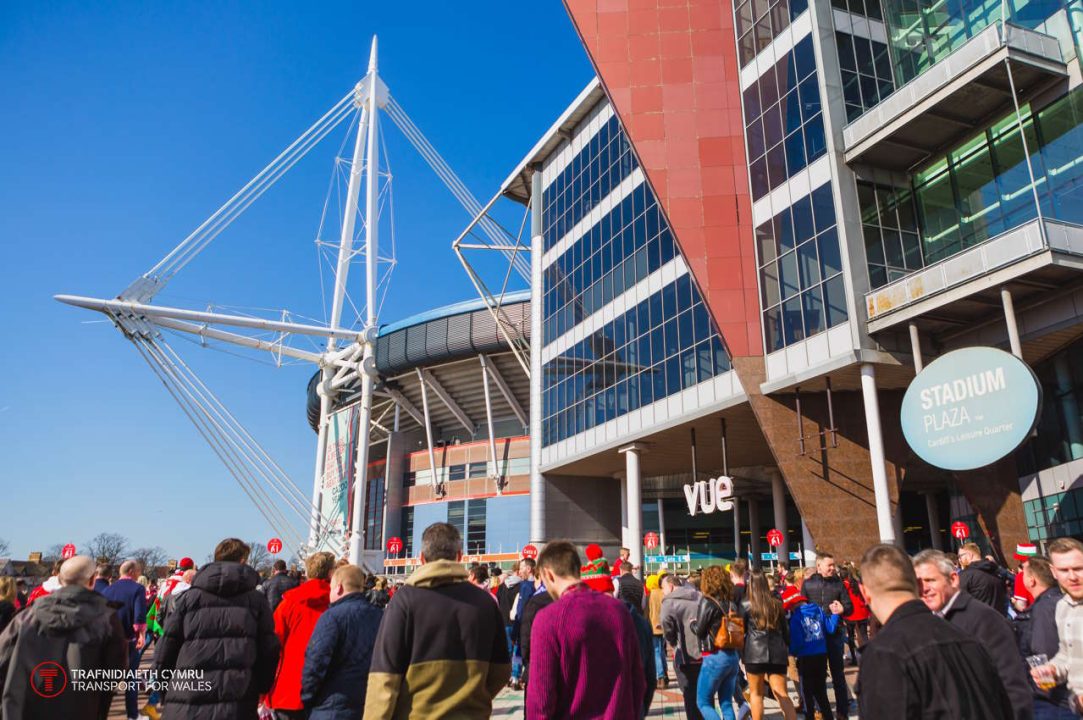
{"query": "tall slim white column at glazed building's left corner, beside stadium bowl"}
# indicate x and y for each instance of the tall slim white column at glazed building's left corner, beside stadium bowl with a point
(538, 248)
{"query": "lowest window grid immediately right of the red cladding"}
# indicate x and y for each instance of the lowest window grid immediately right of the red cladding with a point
(803, 293)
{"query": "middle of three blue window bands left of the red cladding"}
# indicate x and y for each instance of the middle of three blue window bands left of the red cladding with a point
(625, 246)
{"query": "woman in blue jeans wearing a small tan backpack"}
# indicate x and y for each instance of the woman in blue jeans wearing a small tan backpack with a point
(719, 674)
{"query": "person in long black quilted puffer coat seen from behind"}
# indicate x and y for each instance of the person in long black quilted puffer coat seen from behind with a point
(224, 631)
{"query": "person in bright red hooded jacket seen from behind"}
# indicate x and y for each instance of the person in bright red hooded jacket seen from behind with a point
(294, 622)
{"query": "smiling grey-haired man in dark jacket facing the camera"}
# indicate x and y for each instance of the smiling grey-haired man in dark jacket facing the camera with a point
(940, 587)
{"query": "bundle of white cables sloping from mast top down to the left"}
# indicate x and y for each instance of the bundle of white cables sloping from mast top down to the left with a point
(203, 235)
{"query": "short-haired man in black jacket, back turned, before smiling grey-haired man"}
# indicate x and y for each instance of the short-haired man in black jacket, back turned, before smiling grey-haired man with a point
(919, 667)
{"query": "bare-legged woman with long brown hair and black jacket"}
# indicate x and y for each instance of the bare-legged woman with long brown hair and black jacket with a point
(767, 647)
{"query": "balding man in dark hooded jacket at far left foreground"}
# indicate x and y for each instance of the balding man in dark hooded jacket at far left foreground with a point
(73, 629)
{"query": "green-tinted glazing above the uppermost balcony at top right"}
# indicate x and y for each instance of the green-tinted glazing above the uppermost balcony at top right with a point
(922, 33)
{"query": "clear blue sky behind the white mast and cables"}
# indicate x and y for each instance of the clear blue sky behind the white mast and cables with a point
(125, 126)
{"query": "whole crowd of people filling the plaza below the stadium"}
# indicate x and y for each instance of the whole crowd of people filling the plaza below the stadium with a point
(935, 636)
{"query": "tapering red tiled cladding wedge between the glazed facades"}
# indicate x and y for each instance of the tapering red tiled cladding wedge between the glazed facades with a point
(671, 71)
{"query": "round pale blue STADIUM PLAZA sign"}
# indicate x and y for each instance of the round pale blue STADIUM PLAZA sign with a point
(971, 408)
